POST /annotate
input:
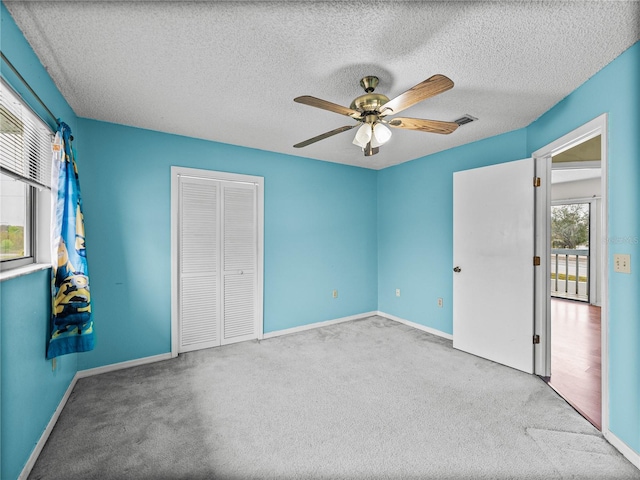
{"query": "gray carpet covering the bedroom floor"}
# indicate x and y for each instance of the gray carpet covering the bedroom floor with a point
(369, 398)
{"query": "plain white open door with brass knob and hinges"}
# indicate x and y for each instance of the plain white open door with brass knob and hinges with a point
(493, 250)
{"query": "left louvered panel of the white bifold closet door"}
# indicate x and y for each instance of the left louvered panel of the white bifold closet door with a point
(199, 264)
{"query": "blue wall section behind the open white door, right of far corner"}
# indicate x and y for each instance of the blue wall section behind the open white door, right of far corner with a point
(415, 235)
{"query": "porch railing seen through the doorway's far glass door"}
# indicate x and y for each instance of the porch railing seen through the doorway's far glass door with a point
(570, 276)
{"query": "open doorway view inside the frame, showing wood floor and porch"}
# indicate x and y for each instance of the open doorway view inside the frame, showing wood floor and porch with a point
(574, 280)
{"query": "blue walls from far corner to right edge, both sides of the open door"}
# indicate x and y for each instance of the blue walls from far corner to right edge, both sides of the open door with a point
(415, 210)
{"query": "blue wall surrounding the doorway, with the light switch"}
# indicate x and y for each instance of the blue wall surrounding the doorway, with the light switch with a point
(616, 91)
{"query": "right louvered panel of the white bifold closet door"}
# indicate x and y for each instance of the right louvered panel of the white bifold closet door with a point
(239, 257)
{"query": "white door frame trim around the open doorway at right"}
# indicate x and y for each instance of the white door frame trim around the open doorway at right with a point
(542, 317)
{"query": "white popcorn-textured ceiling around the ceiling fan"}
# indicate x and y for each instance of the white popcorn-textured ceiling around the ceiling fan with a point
(228, 71)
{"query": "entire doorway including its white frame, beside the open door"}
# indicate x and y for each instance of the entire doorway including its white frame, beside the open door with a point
(571, 313)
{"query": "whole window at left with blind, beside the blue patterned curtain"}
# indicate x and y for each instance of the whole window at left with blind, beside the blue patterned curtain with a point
(25, 169)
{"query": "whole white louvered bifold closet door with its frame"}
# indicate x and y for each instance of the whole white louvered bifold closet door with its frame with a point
(218, 286)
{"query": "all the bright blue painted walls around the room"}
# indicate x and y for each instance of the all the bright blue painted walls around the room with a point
(327, 227)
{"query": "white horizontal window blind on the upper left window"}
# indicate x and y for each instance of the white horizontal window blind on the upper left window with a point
(25, 141)
